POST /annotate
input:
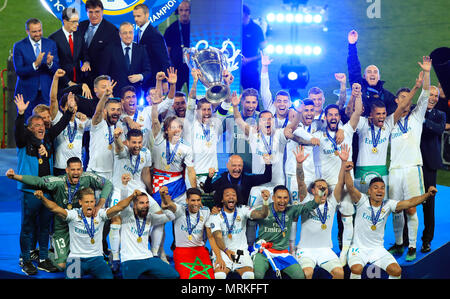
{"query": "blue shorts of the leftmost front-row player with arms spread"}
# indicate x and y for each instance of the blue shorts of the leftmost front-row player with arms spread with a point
(95, 266)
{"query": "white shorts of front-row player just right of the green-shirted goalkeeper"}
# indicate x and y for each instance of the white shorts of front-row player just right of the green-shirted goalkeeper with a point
(322, 257)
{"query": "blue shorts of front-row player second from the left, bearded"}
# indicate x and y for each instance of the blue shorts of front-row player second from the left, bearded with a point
(154, 266)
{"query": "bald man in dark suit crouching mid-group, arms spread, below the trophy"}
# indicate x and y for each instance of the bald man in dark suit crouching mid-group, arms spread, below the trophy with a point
(236, 177)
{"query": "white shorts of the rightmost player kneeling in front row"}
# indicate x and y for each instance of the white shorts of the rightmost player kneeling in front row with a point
(378, 256)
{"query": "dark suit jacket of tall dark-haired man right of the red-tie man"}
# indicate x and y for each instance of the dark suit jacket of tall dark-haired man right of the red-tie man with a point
(107, 34)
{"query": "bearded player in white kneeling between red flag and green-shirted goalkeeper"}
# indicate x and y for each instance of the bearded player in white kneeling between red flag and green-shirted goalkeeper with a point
(229, 230)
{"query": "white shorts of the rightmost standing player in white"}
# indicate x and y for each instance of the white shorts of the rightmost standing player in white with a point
(406, 183)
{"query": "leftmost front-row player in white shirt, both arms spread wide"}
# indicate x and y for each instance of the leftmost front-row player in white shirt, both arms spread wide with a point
(85, 231)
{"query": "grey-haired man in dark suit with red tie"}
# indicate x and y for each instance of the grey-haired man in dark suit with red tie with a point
(70, 52)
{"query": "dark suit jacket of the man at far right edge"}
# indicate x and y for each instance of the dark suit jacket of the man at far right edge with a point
(430, 142)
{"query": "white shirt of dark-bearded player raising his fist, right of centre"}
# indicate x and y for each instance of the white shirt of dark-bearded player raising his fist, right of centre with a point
(329, 163)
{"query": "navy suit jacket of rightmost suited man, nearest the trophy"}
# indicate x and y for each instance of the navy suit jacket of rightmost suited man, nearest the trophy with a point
(157, 53)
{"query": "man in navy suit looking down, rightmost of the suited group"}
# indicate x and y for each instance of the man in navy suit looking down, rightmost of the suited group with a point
(149, 36)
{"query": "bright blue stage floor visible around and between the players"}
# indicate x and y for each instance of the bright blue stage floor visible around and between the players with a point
(10, 215)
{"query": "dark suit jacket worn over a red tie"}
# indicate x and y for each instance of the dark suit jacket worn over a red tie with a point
(66, 61)
